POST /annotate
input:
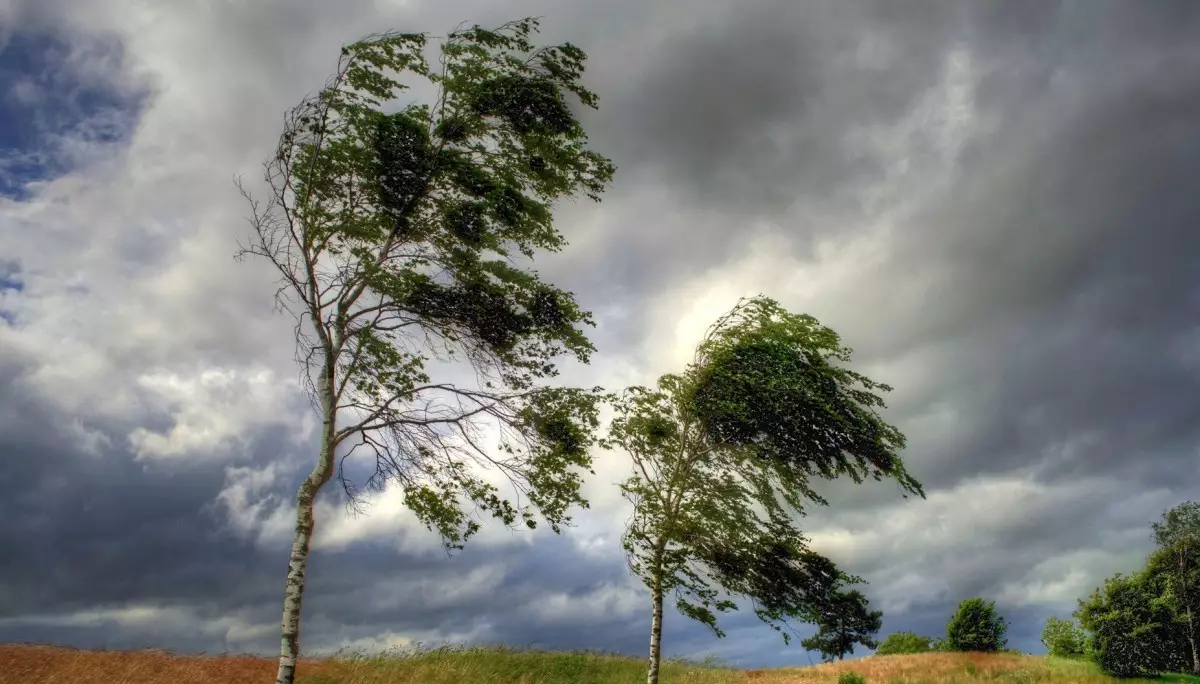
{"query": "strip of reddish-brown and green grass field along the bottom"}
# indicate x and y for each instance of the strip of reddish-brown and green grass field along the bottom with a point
(56, 665)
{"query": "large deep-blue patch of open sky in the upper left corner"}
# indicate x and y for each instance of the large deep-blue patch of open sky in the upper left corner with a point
(51, 95)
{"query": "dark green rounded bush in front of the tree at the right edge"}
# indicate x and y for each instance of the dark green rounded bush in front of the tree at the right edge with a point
(1135, 629)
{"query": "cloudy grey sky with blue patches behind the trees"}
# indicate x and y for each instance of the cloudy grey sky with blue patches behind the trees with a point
(991, 202)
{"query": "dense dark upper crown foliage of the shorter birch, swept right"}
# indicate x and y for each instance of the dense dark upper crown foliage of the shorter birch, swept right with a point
(771, 383)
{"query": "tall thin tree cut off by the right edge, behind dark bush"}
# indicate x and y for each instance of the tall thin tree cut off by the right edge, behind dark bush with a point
(1178, 536)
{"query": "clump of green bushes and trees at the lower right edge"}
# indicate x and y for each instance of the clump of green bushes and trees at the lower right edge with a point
(1143, 623)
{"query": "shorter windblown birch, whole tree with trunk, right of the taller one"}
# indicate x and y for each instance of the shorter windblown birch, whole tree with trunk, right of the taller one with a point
(724, 454)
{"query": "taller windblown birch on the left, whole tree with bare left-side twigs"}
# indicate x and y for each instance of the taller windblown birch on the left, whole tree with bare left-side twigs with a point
(399, 233)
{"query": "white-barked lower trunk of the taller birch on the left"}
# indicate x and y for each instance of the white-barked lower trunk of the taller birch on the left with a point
(293, 592)
